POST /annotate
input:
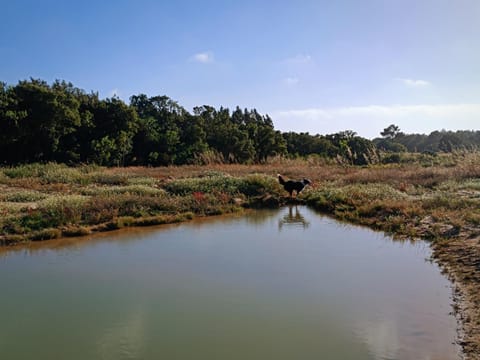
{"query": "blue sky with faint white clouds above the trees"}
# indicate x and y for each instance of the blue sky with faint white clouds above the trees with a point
(312, 65)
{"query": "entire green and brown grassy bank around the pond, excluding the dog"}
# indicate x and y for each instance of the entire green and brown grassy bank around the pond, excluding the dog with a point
(435, 198)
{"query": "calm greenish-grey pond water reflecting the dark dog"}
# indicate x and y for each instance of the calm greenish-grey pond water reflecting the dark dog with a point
(285, 284)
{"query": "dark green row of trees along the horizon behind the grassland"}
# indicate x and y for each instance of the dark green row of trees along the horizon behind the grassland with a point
(62, 123)
